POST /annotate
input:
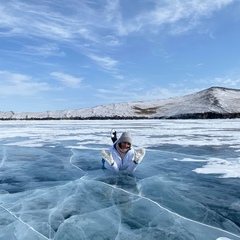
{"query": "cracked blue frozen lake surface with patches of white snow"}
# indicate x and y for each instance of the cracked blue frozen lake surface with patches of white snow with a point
(53, 187)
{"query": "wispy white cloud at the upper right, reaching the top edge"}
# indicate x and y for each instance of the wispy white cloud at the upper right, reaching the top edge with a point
(180, 16)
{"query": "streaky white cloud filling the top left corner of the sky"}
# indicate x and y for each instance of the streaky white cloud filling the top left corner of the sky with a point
(39, 20)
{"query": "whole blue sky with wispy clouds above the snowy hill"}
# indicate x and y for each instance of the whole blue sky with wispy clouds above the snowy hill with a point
(73, 54)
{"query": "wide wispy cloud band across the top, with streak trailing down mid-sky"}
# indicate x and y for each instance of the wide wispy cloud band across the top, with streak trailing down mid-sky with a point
(92, 28)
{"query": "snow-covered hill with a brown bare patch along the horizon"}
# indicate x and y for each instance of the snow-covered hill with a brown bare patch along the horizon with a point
(214, 102)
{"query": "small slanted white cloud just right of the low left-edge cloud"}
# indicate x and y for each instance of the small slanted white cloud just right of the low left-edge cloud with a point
(67, 79)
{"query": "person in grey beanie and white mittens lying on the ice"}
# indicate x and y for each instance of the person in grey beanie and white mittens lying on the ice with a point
(122, 155)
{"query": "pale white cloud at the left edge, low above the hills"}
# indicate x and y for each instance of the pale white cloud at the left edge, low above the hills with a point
(20, 84)
